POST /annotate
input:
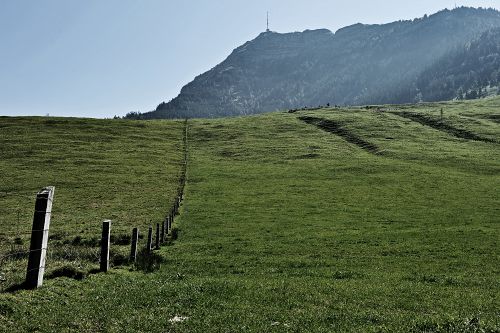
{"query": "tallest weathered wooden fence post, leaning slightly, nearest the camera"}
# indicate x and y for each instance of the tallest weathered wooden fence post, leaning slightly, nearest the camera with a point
(39, 237)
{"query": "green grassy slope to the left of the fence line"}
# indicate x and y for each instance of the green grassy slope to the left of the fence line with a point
(120, 170)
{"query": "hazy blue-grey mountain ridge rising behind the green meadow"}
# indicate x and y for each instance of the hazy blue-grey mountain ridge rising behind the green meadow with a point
(359, 64)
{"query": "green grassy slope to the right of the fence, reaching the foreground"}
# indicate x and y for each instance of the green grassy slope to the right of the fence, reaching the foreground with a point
(288, 228)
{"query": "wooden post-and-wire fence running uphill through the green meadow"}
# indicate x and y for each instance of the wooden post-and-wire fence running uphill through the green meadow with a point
(23, 266)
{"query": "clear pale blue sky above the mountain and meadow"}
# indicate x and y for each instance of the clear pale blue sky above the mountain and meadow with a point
(98, 58)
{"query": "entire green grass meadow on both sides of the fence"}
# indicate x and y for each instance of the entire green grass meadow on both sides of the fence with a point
(374, 219)
